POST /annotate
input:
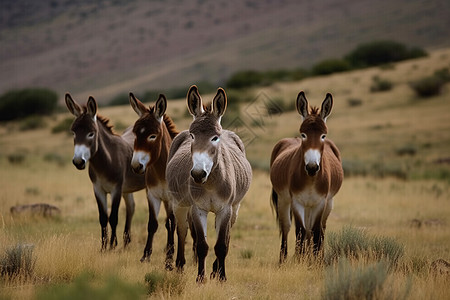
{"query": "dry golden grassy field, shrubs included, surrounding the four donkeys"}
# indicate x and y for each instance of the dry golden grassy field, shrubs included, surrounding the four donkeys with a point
(395, 199)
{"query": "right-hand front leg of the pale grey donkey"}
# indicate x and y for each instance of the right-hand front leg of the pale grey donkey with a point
(223, 226)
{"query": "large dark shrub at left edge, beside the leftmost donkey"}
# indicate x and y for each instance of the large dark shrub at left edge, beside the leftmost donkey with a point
(17, 104)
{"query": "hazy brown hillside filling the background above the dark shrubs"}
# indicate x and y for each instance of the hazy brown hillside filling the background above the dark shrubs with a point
(110, 47)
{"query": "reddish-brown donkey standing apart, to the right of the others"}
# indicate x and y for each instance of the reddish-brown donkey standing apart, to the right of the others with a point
(306, 173)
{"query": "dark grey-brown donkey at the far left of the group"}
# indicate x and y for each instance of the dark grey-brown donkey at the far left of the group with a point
(109, 157)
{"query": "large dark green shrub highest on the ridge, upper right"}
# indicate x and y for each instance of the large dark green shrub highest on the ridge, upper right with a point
(381, 52)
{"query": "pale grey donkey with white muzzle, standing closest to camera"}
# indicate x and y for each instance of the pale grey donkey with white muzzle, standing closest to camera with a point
(207, 172)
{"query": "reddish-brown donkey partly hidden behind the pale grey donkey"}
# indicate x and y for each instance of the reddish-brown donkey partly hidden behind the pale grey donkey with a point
(154, 132)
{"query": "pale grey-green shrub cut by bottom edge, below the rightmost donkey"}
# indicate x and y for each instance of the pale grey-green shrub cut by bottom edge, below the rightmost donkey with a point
(347, 282)
